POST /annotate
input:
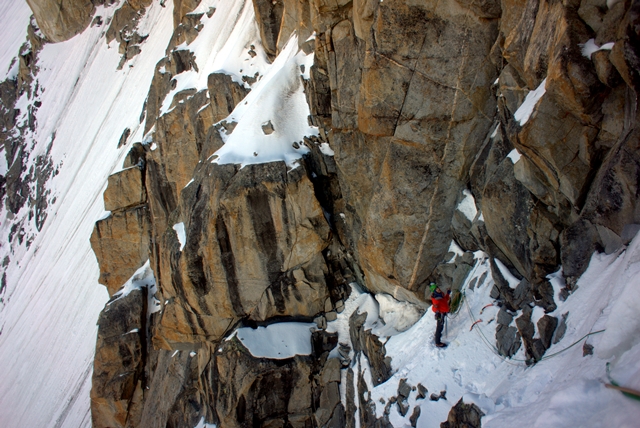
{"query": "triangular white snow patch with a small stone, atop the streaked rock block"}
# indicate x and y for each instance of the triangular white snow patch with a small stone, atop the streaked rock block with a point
(278, 97)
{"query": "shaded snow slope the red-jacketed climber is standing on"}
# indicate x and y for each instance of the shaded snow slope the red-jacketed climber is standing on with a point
(565, 389)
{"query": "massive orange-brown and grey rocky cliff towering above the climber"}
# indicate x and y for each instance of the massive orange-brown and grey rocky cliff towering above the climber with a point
(423, 105)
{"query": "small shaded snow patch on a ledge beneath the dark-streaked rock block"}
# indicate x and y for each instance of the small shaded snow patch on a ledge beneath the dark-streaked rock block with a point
(277, 341)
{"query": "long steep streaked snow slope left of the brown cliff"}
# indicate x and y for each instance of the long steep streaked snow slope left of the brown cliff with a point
(53, 298)
